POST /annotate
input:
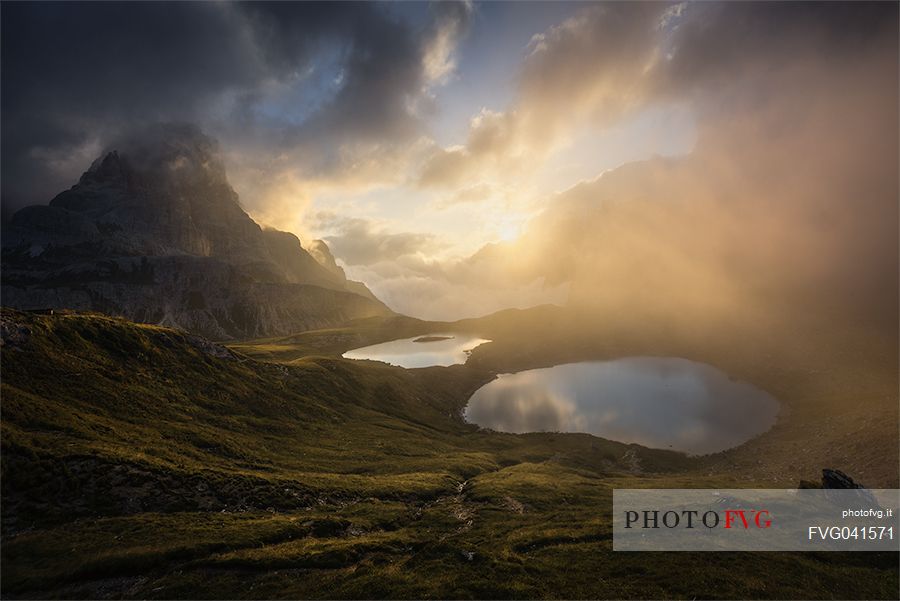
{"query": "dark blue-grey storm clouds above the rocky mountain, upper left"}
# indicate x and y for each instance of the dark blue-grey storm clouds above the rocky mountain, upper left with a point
(75, 74)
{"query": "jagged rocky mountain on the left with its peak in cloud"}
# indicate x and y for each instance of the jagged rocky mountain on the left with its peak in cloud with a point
(154, 232)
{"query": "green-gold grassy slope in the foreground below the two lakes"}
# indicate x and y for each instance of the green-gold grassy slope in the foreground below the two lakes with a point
(136, 464)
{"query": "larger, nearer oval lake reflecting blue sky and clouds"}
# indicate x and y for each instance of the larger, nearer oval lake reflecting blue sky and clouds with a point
(658, 402)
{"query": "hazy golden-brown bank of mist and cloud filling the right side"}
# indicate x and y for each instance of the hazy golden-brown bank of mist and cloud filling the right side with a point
(788, 206)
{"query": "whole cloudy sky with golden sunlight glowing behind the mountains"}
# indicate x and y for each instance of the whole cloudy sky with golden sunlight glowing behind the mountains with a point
(436, 146)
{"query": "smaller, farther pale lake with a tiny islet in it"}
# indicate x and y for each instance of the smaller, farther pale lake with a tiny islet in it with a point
(420, 351)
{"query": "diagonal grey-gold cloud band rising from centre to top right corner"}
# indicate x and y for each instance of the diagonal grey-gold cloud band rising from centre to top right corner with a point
(613, 60)
